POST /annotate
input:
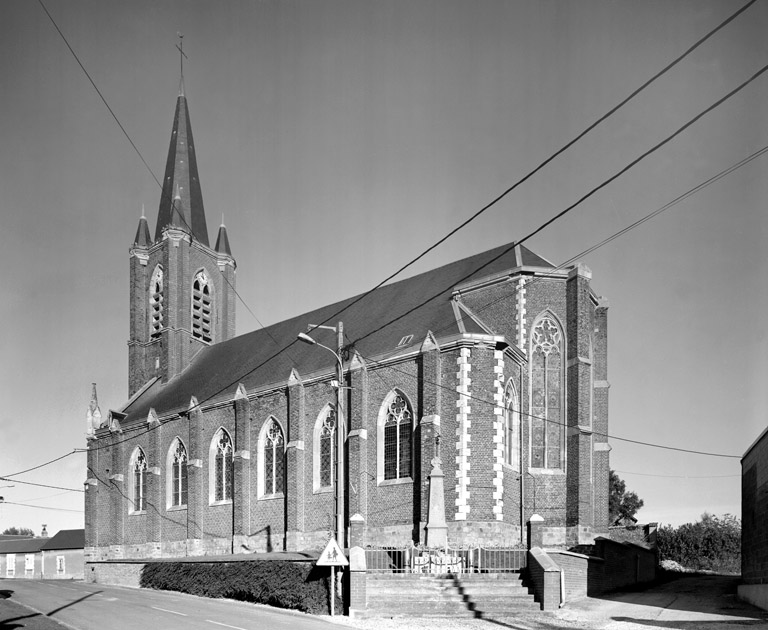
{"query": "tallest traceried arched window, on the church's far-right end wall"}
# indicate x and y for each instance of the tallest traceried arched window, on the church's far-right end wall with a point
(547, 404)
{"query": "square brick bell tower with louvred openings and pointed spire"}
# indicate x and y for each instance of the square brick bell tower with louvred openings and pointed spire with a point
(182, 291)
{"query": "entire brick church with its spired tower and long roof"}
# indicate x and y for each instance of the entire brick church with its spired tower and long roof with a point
(491, 369)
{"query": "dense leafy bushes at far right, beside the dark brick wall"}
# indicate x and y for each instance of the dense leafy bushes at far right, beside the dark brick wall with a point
(711, 544)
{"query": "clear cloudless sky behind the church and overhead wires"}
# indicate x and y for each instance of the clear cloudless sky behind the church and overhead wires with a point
(339, 139)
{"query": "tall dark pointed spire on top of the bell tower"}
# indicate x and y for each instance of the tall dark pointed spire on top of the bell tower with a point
(186, 210)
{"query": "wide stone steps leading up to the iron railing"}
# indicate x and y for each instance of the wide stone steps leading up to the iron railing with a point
(469, 595)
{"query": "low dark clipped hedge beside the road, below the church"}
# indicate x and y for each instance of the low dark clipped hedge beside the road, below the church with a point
(293, 585)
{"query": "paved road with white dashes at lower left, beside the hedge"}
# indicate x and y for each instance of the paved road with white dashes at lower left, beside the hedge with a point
(99, 607)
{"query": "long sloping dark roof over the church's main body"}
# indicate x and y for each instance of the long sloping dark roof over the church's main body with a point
(252, 359)
